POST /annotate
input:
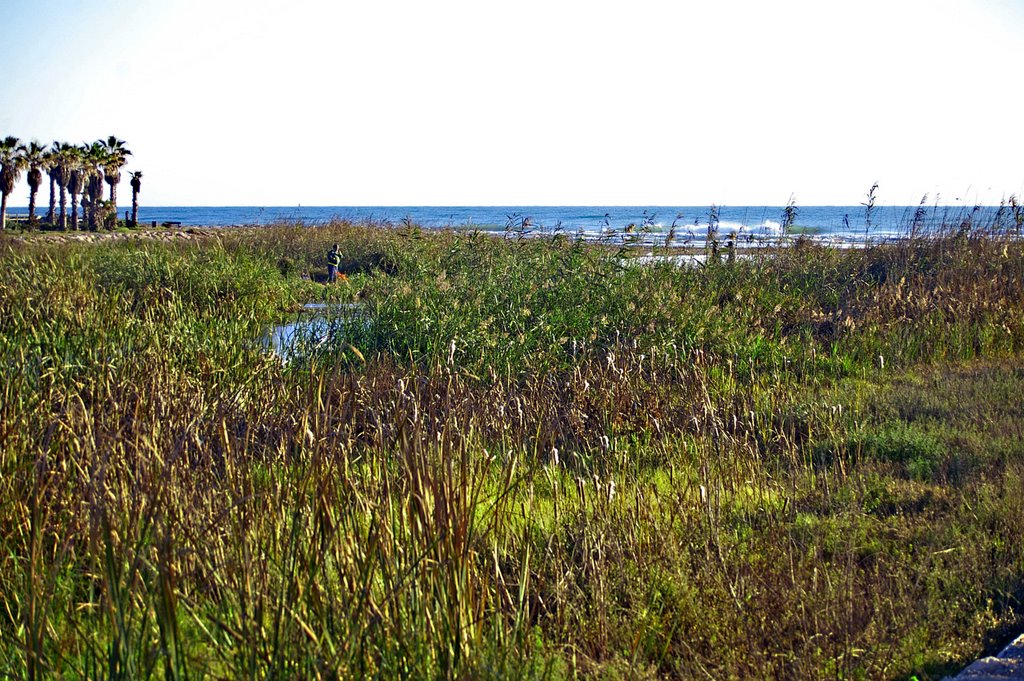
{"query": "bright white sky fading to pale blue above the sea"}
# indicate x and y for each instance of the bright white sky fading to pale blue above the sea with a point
(400, 103)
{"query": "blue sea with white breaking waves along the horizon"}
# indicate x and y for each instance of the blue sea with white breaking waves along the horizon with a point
(840, 225)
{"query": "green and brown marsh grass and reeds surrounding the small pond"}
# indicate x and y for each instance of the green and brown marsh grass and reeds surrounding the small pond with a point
(806, 464)
